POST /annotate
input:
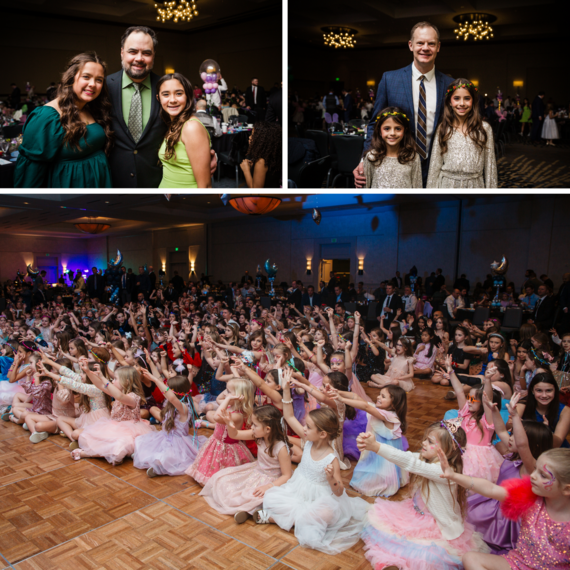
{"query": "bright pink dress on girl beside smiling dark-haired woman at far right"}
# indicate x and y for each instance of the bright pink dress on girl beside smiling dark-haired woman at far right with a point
(480, 459)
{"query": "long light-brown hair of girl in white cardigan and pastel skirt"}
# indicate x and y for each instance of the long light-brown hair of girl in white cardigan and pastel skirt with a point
(453, 454)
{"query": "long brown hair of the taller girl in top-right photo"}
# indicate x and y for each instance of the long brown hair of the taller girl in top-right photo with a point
(474, 121)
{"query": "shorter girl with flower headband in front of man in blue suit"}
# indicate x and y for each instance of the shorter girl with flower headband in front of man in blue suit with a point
(392, 161)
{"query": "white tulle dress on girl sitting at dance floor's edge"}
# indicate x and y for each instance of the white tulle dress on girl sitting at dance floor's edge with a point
(322, 520)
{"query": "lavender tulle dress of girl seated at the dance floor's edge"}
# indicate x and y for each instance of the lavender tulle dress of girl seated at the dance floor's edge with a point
(168, 452)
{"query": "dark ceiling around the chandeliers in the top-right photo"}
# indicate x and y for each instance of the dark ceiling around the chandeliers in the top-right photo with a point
(387, 23)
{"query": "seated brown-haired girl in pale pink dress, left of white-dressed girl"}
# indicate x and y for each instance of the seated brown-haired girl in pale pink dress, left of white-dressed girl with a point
(239, 491)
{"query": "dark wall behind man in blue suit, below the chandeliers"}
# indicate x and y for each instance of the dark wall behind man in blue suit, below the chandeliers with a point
(537, 63)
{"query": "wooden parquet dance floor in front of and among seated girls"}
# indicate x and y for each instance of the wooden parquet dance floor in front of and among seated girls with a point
(87, 515)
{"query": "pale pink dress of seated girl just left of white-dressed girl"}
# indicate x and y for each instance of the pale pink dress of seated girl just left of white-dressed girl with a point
(231, 490)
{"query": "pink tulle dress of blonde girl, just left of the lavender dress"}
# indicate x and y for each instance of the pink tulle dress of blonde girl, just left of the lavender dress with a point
(114, 438)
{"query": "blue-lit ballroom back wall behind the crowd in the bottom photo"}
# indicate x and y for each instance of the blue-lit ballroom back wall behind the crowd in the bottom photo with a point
(532, 231)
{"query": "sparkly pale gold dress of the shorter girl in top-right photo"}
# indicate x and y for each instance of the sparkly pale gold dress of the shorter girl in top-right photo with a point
(391, 174)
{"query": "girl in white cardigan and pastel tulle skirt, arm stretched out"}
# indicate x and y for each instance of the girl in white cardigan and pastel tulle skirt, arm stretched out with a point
(427, 531)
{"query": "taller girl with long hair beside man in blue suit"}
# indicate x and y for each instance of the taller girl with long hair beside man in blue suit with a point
(463, 152)
